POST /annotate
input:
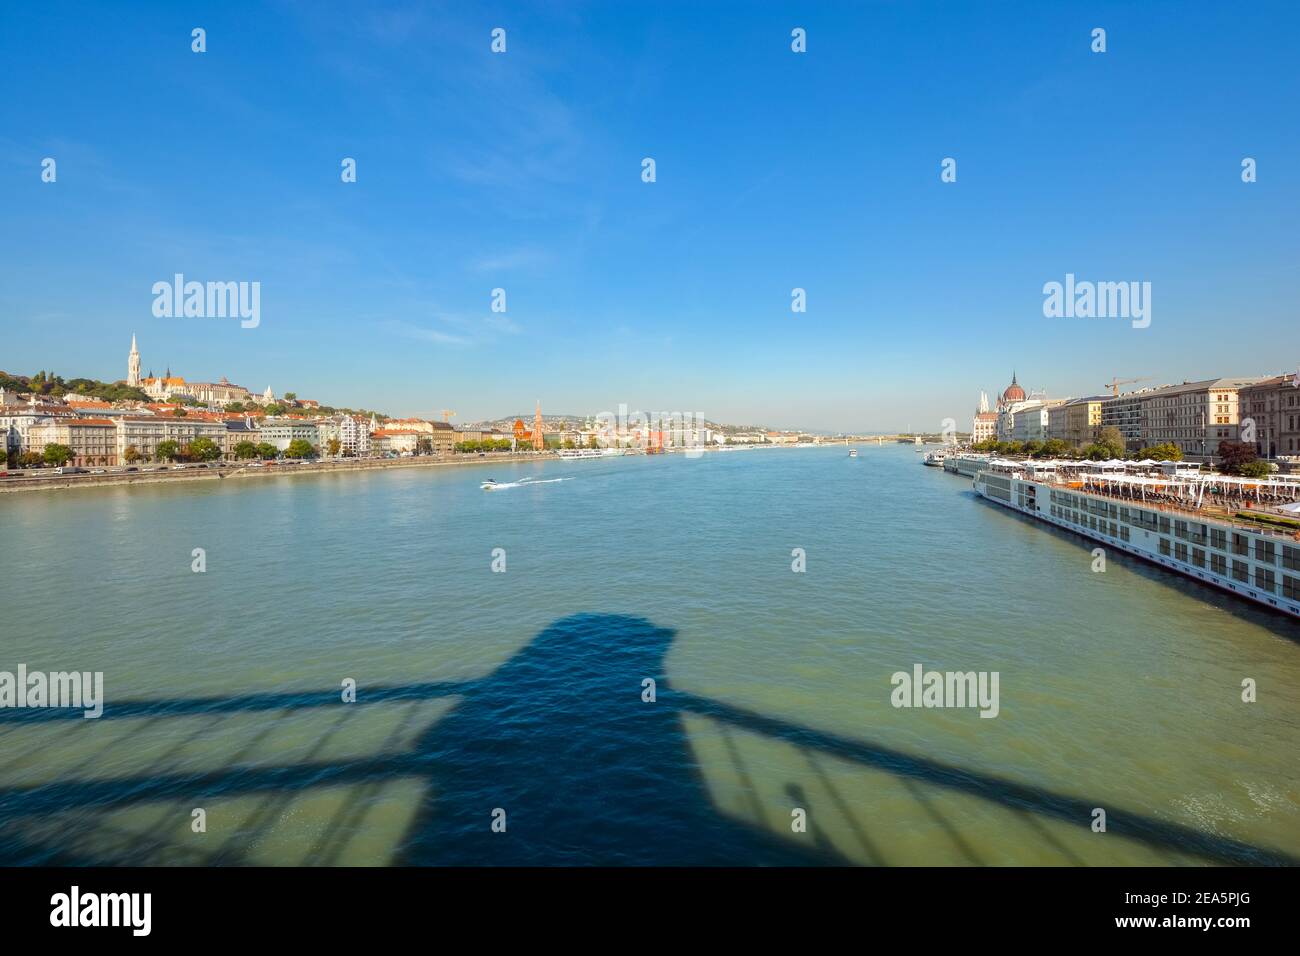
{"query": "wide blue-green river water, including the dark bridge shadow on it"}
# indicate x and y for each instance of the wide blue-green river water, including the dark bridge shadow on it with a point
(501, 717)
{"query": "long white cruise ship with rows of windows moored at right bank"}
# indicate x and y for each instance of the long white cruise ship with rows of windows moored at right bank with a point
(1182, 522)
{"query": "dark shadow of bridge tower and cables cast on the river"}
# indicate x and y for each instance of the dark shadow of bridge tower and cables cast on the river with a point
(558, 738)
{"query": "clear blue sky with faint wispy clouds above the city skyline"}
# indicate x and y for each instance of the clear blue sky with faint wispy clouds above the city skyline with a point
(523, 171)
